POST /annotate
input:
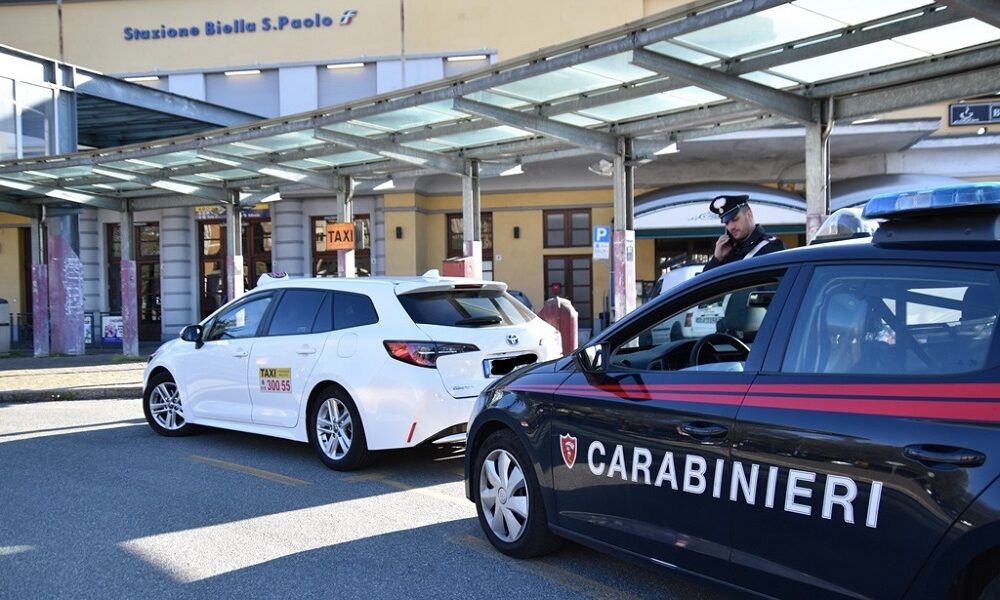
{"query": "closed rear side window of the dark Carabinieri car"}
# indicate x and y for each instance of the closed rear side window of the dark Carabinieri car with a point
(870, 319)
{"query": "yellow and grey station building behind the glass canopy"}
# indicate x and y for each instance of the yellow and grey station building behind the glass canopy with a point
(81, 75)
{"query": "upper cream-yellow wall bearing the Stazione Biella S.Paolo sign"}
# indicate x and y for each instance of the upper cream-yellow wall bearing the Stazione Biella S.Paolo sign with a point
(94, 32)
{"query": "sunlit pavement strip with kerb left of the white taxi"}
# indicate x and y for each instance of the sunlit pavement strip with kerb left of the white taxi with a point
(96, 376)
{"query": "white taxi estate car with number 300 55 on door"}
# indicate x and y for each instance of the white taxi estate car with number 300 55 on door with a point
(349, 365)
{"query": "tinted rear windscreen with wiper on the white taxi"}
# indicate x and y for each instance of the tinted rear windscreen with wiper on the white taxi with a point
(465, 308)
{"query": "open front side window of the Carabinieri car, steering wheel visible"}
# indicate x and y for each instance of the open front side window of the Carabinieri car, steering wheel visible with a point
(716, 333)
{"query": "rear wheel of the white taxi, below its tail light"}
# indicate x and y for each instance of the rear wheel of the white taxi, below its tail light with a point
(336, 432)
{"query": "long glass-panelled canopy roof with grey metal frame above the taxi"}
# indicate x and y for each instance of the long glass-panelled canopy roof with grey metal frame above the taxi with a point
(718, 68)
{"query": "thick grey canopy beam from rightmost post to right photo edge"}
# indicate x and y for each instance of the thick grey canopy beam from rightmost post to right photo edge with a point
(972, 83)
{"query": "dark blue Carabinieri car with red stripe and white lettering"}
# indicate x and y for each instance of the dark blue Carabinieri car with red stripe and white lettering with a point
(838, 435)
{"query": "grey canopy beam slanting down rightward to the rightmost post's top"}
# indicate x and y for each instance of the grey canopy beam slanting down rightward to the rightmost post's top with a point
(794, 106)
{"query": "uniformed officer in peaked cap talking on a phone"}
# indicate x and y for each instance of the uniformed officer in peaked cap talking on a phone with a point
(743, 238)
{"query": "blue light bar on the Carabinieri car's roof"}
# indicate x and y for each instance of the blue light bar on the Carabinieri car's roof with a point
(887, 206)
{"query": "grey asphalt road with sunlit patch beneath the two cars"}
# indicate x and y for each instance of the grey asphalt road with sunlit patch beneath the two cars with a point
(93, 504)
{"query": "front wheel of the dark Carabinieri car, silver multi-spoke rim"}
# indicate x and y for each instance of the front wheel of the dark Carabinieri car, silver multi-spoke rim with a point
(509, 500)
